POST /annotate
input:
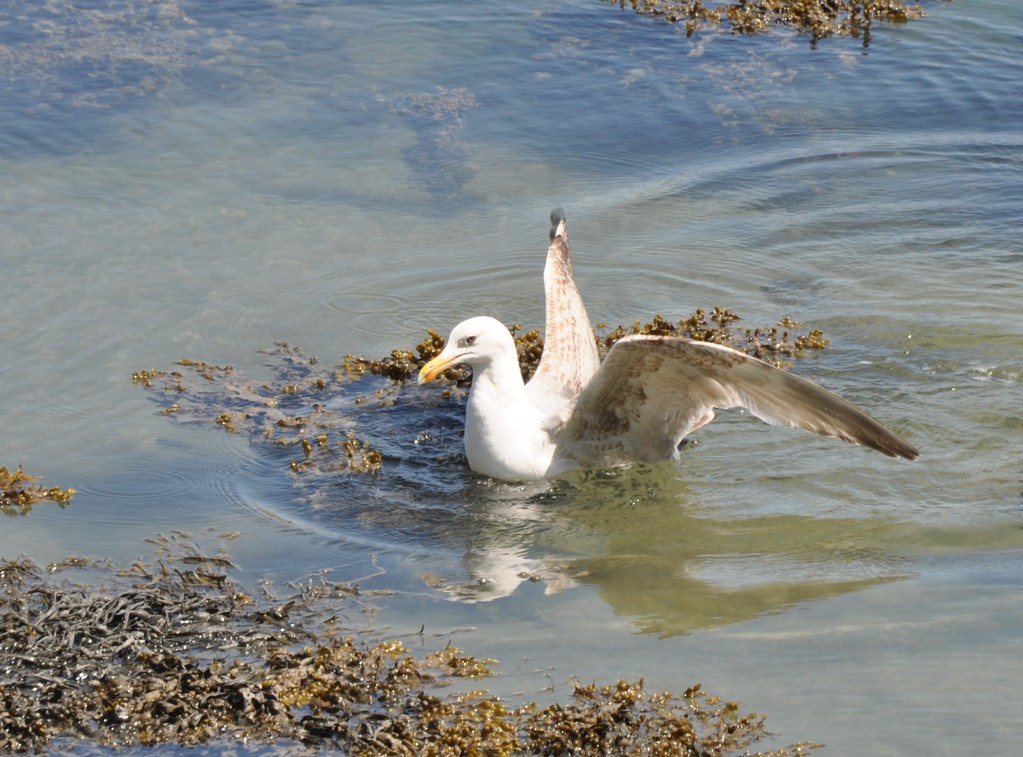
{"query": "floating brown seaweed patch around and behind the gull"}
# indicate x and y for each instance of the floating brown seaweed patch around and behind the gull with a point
(308, 411)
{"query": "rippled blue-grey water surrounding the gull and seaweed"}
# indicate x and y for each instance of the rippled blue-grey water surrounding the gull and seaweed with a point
(204, 181)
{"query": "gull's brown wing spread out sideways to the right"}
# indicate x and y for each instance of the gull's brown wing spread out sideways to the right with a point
(652, 391)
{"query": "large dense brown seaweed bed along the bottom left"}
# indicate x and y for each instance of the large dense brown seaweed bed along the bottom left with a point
(174, 651)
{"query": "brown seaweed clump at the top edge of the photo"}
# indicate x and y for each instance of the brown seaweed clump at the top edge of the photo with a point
(818, 19)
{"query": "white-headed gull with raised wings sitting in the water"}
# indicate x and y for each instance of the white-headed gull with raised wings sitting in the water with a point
(641, 404)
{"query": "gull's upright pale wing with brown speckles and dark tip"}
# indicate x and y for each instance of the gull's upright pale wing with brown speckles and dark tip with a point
(570, 359)
